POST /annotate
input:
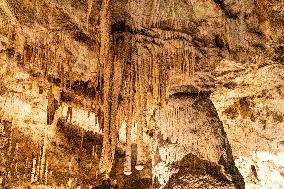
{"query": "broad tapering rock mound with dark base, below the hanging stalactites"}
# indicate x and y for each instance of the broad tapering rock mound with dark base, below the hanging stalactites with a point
(191, 147)
